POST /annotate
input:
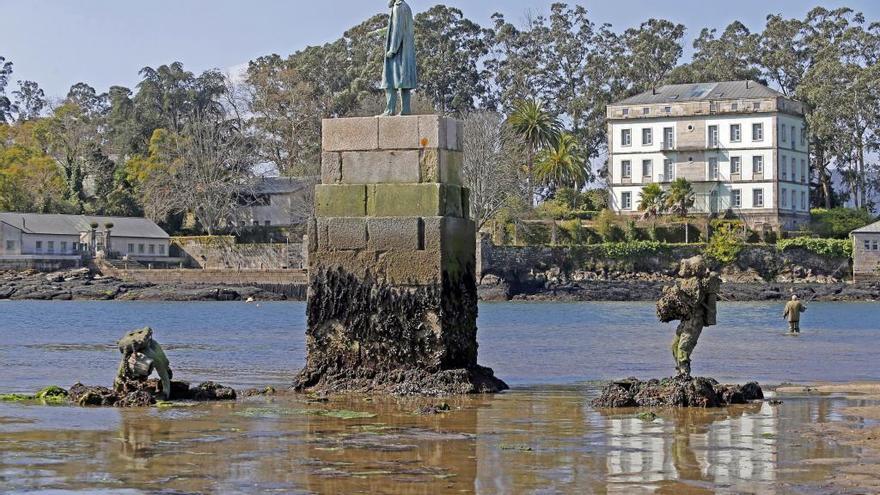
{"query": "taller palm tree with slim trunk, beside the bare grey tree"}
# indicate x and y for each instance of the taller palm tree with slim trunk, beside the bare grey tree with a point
(537, 129)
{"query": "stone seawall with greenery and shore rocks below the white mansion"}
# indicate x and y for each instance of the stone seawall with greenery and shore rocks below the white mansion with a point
(761, 272)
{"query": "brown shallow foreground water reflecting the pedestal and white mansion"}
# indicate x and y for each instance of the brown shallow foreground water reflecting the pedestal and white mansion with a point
(527, 441)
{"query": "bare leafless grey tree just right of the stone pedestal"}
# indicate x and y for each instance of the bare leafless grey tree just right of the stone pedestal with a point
(491, 172)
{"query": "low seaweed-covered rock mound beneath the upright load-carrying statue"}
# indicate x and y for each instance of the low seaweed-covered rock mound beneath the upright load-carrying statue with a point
(676, 392)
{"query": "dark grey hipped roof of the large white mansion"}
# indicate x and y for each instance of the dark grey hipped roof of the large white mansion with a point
(727, 90)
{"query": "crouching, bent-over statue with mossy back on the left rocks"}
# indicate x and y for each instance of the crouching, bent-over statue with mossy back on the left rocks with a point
(141, 355)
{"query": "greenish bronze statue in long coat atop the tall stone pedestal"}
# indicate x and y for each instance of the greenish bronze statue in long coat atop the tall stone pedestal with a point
(399, 72)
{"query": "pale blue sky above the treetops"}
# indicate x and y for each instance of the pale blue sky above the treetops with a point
(105, 42)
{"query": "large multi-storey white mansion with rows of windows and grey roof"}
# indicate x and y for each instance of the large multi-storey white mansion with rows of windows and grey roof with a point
(742, 145)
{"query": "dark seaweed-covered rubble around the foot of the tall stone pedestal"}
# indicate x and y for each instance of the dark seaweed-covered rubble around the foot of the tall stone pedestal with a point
(473, 380)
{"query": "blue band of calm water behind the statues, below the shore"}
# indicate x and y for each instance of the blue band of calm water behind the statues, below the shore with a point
(46, 343)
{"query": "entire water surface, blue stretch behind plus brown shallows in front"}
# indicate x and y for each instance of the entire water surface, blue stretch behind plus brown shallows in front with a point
(542, 437)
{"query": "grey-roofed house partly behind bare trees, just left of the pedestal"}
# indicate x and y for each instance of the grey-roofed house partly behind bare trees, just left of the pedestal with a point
(280, 202)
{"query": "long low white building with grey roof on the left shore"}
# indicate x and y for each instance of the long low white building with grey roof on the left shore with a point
(31, 235)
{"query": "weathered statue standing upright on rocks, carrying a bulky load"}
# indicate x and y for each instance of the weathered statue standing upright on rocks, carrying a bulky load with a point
(693, 301)
